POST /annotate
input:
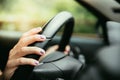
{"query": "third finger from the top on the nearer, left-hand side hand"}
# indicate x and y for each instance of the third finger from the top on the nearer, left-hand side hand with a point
(29, 50)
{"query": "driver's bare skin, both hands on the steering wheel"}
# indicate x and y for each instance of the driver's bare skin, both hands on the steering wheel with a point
(22, 49)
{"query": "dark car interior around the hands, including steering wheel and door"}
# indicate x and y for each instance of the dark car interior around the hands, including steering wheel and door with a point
(89, 58)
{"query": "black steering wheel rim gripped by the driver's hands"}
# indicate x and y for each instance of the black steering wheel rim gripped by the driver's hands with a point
(50, 29)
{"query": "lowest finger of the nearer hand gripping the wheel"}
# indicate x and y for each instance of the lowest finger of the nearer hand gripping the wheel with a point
(23, 61)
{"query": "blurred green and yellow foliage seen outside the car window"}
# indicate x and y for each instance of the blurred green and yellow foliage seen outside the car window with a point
(19, 14)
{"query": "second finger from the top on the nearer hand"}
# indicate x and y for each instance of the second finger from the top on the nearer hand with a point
(31, 39)
